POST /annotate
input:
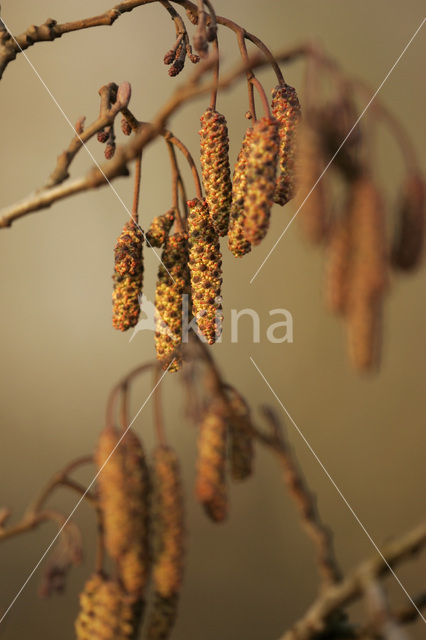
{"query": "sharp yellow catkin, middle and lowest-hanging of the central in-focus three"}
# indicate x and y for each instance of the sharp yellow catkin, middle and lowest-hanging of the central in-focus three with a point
(172, 284)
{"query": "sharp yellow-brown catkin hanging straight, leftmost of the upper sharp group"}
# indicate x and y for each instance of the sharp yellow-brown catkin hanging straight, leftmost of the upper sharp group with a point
(215, 168)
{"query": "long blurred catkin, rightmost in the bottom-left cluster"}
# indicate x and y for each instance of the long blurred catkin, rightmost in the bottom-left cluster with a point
(168, 543)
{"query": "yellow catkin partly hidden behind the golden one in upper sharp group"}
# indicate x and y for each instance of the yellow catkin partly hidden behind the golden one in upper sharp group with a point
(237, 242)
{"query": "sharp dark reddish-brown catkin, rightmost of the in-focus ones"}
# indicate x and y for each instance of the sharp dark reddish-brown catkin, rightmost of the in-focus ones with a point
(286, 110)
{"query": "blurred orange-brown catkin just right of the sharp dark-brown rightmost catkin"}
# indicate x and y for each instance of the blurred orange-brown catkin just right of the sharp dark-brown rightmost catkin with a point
(313, 215)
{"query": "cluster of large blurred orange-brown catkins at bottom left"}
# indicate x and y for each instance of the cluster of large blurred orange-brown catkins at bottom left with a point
(143, 524)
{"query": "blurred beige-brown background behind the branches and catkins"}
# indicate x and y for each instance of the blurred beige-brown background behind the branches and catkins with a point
(59, 355)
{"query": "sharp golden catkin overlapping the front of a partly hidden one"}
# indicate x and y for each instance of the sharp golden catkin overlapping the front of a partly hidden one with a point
(261, 171)
